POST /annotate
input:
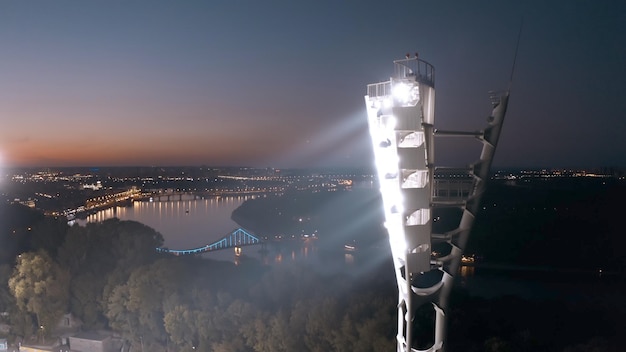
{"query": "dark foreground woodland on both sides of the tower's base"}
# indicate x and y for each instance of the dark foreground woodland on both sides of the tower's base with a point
(109, 276)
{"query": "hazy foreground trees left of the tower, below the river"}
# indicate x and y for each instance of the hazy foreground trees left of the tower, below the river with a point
(110, 276)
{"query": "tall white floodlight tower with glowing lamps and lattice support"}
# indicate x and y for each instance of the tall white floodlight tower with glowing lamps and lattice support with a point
(401, 123)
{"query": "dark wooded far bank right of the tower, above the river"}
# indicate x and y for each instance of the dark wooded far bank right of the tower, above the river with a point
(570, 223)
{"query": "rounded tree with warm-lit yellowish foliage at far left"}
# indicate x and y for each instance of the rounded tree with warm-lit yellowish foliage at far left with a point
(40, 287)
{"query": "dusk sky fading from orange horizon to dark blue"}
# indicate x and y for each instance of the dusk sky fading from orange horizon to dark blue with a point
(281, 83)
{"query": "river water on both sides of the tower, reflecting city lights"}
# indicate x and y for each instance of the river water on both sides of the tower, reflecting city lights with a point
(192, 223)
